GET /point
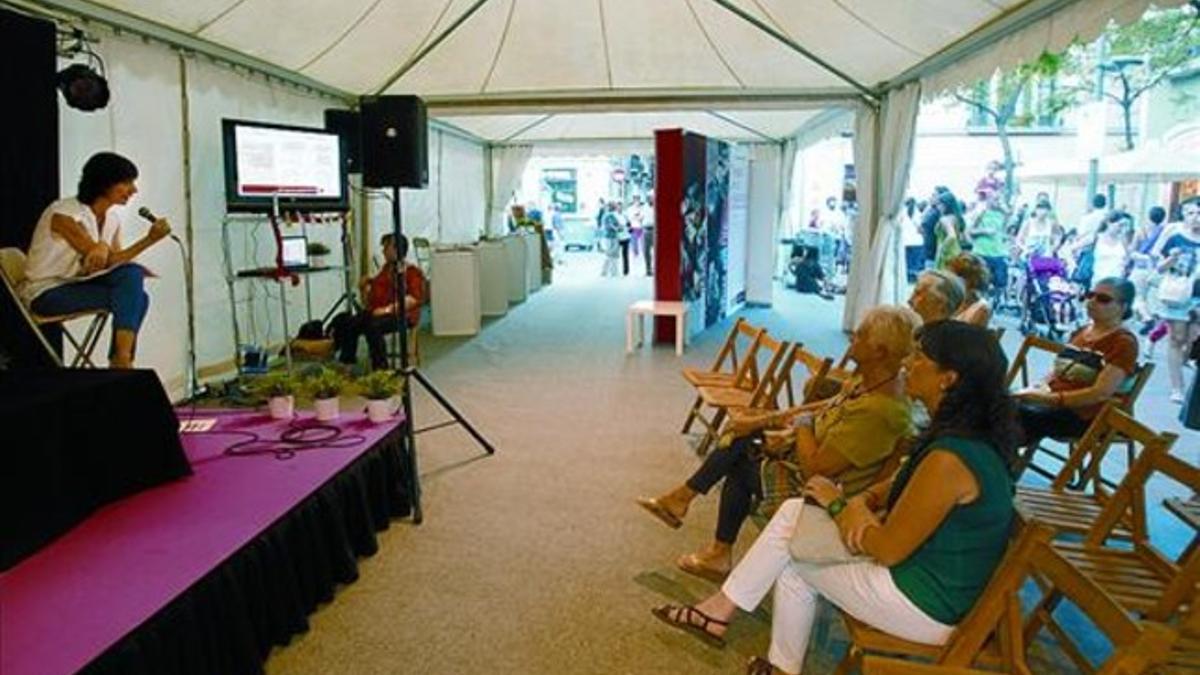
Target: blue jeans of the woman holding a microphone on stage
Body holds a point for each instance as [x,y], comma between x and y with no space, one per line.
[121,292]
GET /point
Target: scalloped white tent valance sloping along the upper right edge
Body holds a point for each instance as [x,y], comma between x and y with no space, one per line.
[1084,21]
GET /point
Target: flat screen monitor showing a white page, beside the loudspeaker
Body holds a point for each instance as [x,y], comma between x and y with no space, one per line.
[304,168]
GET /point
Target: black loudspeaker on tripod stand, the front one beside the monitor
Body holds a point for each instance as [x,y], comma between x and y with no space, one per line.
[395,142]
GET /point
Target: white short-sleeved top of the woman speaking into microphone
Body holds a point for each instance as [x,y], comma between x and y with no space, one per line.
[52,261]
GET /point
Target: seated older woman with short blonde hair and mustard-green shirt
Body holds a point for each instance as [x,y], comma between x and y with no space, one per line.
[847,439]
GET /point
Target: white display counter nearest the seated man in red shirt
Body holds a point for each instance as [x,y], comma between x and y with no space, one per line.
[455,302]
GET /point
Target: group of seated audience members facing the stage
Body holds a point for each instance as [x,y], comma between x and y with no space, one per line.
[905,546]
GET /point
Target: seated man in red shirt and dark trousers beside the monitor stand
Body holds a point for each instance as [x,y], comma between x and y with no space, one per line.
[380,297]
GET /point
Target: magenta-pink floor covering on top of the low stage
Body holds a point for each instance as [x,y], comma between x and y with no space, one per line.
[67,605]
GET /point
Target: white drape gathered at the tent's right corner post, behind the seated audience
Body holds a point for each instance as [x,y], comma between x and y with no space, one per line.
[884,144]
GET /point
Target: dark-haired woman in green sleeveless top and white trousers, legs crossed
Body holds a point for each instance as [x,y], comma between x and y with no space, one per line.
[926,542]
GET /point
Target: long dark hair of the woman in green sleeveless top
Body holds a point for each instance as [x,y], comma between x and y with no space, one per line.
[977,405]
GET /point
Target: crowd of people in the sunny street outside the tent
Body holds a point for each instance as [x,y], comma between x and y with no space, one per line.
[1039,267]
